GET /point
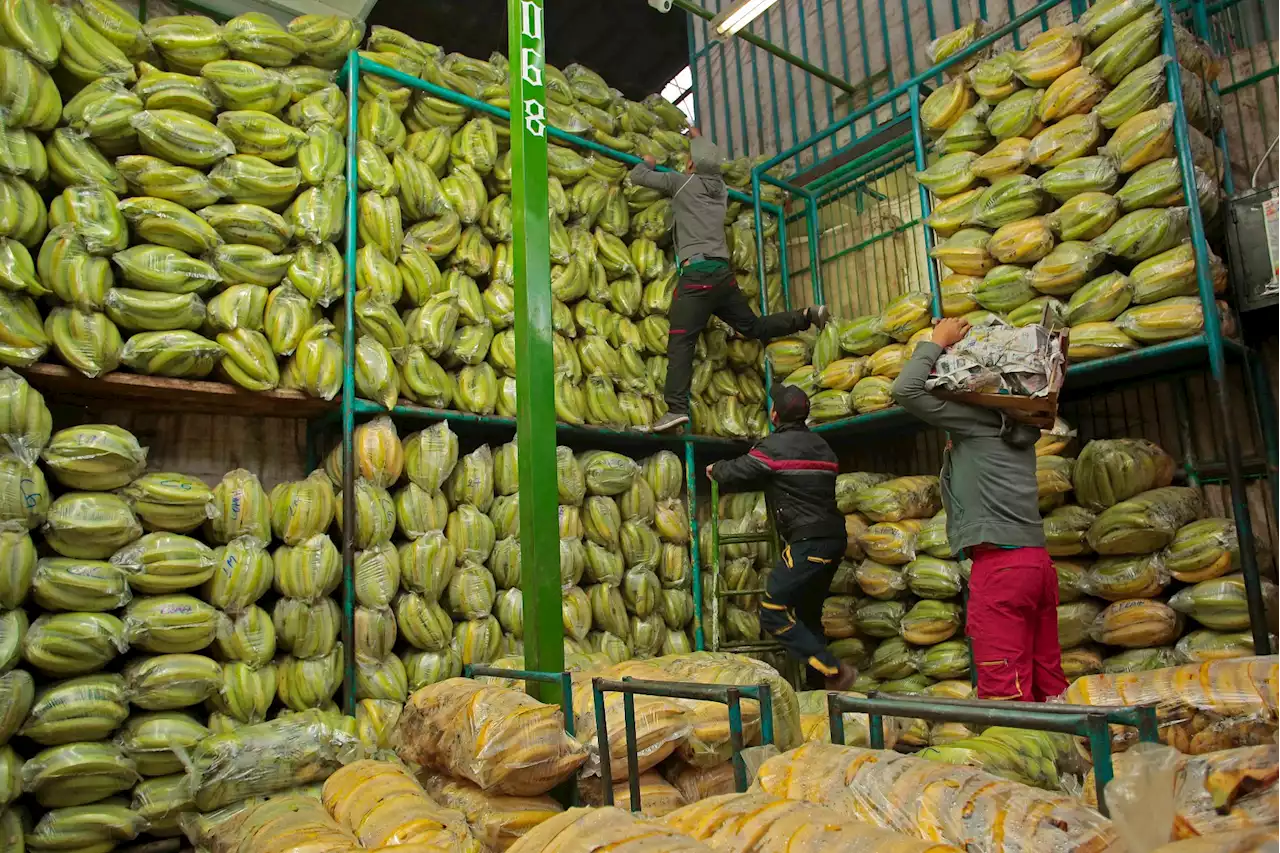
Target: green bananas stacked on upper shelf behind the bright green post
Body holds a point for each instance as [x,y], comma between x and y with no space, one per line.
[435,273]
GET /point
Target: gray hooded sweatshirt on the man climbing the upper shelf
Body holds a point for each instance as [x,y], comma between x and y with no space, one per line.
[700,202]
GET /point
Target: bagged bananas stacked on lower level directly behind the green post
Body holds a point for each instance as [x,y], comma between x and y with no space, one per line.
[447,591]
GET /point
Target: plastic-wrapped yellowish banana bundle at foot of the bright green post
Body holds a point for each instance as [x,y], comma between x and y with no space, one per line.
[497,738]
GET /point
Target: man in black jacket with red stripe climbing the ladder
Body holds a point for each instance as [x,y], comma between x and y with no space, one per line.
[798,472]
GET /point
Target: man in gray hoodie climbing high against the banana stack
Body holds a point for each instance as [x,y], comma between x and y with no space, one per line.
[707,285]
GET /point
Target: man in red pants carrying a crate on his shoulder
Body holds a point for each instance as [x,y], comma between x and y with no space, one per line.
[989,490]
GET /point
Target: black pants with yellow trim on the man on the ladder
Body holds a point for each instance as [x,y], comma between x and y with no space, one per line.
[792,610]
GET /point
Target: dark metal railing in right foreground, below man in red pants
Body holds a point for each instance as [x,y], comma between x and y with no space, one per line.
[1091,723]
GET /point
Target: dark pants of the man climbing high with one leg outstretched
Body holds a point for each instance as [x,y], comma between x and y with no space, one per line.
[698,297]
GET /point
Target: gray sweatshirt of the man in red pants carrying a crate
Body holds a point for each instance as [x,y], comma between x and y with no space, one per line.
[989,473]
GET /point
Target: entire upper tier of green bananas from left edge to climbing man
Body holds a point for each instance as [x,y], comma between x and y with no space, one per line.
[202,194]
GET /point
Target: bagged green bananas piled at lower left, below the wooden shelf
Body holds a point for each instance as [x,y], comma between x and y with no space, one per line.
[139,622]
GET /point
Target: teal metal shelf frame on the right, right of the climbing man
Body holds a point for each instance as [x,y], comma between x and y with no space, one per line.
[1210,352]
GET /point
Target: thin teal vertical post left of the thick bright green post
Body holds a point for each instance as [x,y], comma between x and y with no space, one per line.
[349,402]
